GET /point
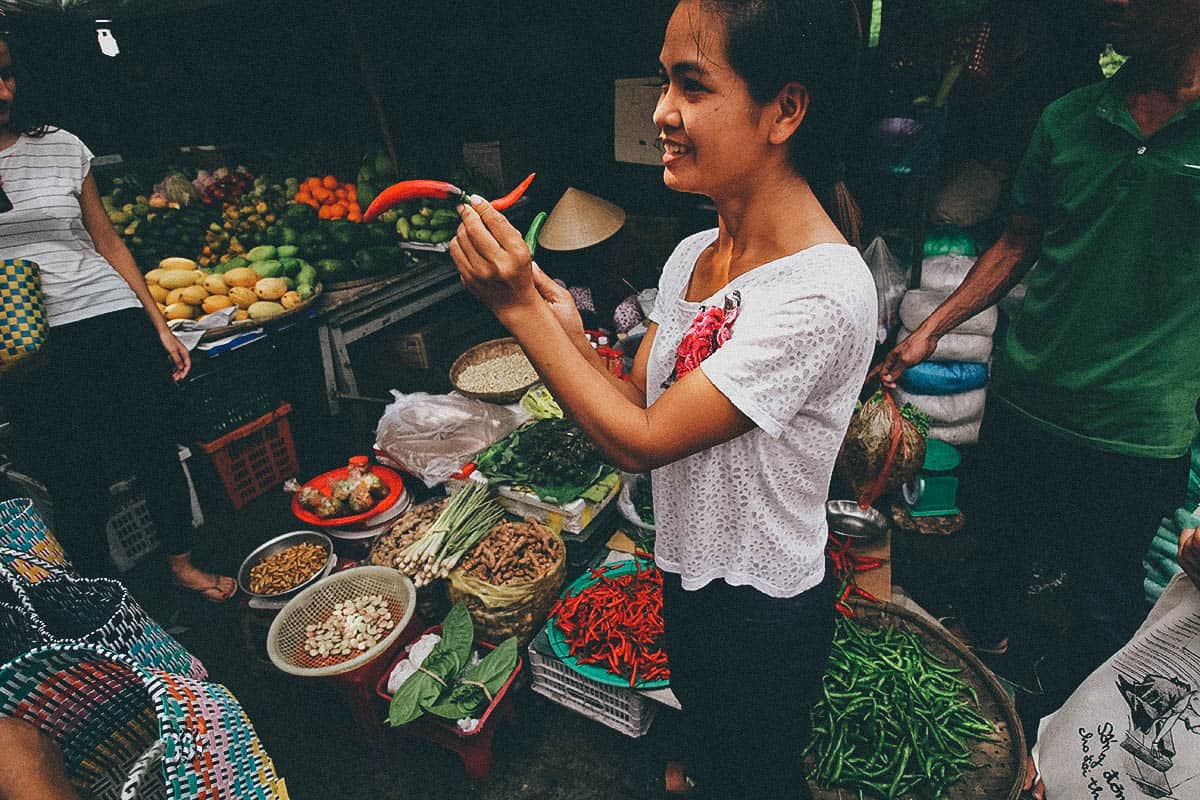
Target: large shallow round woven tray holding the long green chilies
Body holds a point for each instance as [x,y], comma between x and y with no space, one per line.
[1004,761]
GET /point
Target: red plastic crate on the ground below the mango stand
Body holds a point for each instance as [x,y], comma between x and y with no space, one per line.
[256,458]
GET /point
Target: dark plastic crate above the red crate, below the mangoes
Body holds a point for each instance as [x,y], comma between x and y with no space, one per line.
[224,400]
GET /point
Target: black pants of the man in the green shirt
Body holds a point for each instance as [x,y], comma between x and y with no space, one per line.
[1037,498]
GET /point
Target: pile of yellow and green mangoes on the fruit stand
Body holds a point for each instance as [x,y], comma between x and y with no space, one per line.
[262,286]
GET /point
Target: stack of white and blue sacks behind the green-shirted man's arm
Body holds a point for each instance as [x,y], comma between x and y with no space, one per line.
[951,388]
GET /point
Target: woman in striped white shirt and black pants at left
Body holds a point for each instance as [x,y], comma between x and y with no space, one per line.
[88,410]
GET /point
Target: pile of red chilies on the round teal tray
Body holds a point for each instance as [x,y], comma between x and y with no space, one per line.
[617,623]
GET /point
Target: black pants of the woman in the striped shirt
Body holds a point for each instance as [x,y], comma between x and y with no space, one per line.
[93,407]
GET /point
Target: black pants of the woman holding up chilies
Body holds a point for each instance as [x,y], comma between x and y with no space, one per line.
[747,670]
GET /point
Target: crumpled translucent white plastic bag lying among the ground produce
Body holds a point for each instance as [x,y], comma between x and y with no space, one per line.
[434,436]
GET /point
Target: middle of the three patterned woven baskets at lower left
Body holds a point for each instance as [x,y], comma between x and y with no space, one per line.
[68,610]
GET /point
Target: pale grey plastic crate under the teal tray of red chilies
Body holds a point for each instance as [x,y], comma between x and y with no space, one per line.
[621,709]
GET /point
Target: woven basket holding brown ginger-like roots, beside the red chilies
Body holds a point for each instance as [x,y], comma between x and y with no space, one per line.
[514,610]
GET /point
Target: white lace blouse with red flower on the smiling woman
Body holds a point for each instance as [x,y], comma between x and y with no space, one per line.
[752,510]
